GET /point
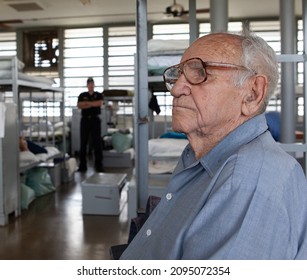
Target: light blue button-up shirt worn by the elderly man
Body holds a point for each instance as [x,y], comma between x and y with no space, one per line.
[245,199]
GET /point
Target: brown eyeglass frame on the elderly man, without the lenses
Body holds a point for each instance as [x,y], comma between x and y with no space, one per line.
[181,70]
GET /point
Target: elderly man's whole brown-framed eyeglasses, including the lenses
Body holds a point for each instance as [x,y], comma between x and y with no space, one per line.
[195,71]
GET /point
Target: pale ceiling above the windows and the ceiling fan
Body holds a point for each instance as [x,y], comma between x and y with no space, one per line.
[74,13]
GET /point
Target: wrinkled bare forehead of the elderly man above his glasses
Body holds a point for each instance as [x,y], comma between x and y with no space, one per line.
[217,47]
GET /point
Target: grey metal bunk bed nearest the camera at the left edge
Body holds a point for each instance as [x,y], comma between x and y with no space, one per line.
[14,84]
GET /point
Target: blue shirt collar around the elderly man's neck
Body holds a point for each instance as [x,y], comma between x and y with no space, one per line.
[242,135]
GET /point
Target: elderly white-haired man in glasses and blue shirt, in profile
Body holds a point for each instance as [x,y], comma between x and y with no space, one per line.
[235,194]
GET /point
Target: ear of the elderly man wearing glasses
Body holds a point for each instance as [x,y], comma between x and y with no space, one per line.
[254,98]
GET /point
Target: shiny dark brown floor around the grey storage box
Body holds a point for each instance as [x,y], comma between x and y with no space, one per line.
[54,228]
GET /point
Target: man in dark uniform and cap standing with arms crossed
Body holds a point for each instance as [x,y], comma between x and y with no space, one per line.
[90,102]
